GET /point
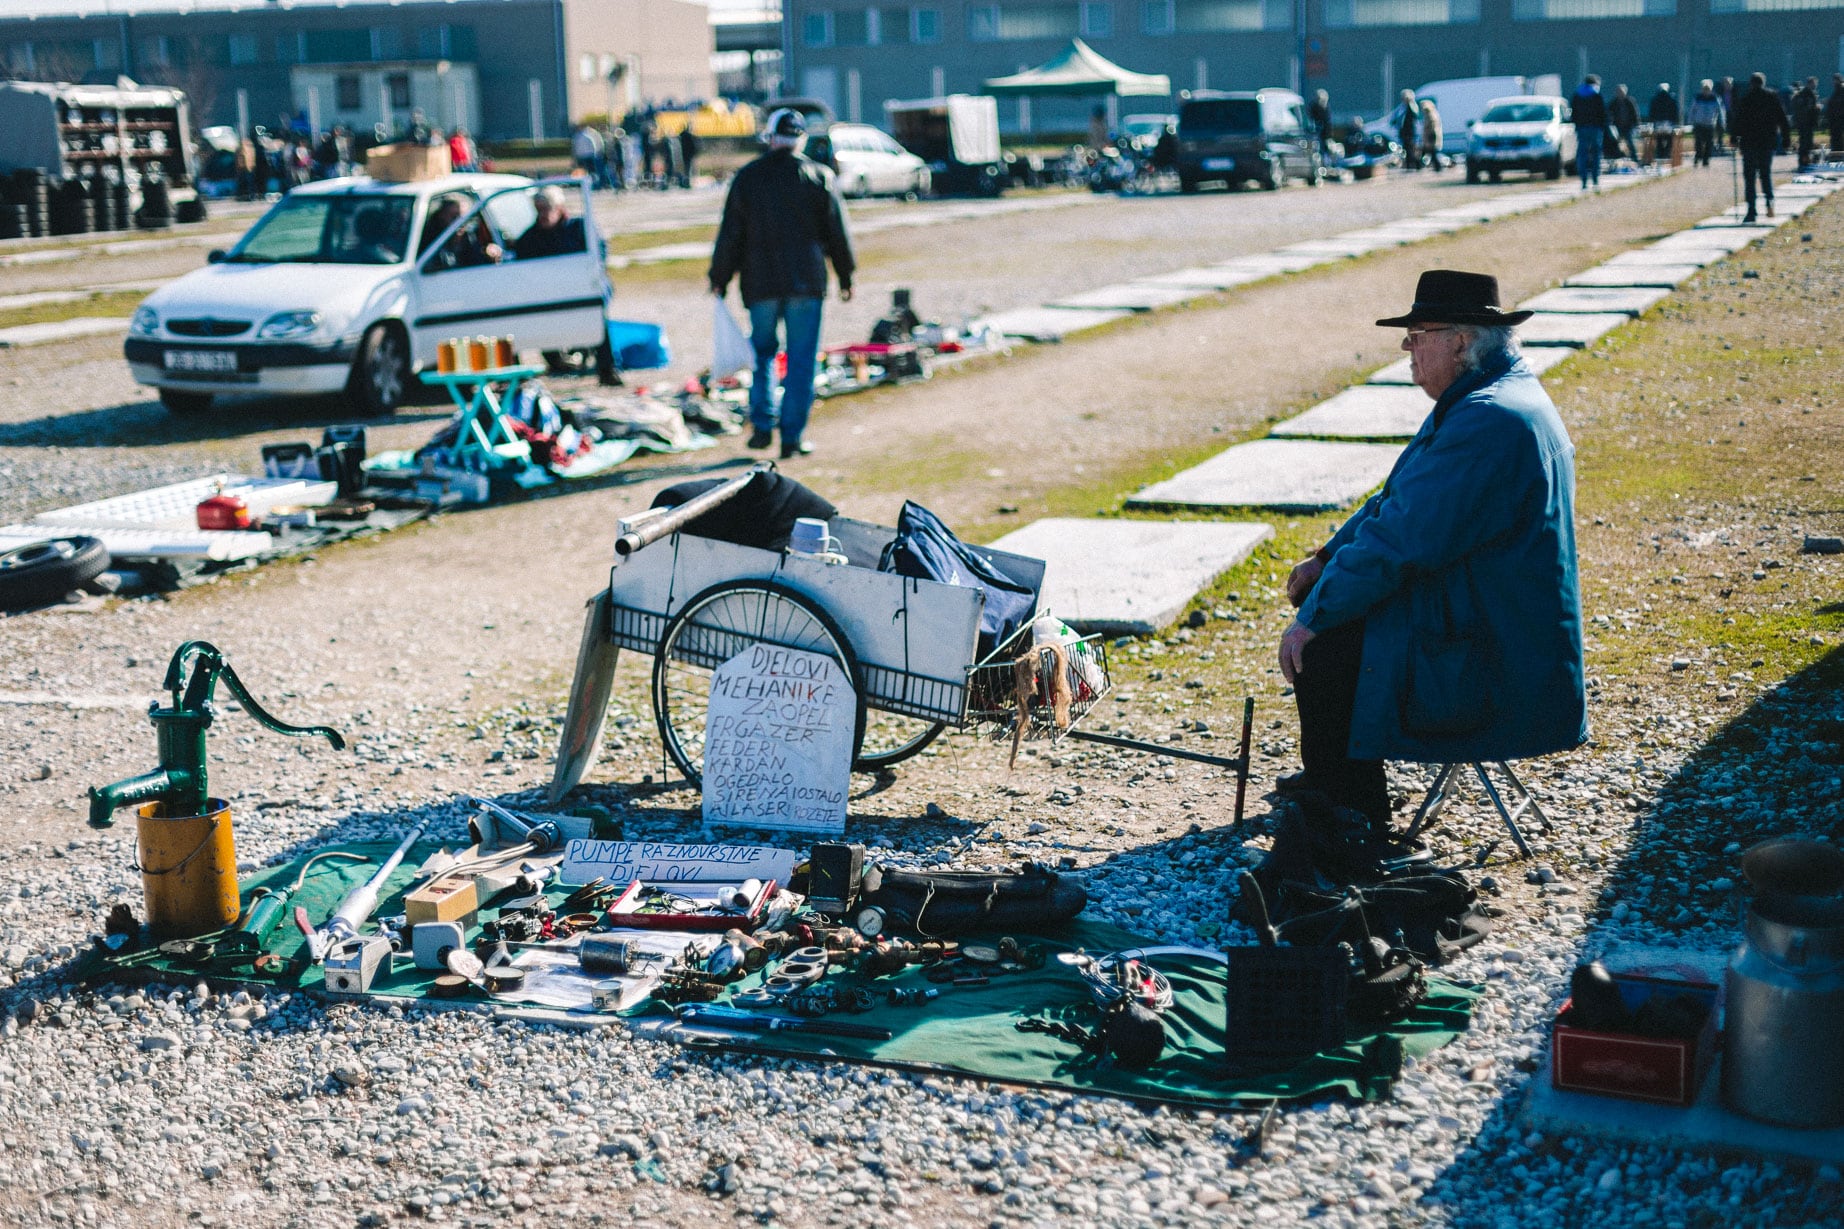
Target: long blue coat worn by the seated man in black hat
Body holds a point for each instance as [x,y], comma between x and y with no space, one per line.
[1463,571]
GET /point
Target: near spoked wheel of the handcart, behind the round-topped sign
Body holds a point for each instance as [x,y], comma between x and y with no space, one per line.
[716,626]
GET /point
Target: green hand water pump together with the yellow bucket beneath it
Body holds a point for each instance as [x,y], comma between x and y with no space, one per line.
[185,846]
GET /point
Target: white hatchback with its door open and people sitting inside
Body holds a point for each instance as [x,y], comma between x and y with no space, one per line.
[351,285]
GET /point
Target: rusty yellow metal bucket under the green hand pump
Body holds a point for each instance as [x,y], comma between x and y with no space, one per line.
[187,870]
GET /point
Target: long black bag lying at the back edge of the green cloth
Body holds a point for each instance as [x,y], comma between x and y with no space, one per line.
[945,903]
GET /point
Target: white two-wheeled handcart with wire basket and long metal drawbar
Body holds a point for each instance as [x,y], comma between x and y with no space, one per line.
[910,645]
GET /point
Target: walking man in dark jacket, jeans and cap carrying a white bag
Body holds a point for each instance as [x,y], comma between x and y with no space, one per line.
[781,224]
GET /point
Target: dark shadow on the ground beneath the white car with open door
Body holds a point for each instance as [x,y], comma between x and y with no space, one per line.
[148,424]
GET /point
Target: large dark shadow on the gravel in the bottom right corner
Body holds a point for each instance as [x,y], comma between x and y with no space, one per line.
[1777,770]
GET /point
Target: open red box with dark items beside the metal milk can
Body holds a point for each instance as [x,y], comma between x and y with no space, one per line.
[1666,1071]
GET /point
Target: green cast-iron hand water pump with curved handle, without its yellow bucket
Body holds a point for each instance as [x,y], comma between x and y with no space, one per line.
[180,780]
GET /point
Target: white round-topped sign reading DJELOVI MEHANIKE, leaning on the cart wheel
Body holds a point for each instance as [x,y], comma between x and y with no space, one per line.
[779,741]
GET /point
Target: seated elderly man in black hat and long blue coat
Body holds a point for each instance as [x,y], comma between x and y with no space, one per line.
[1443,623]
